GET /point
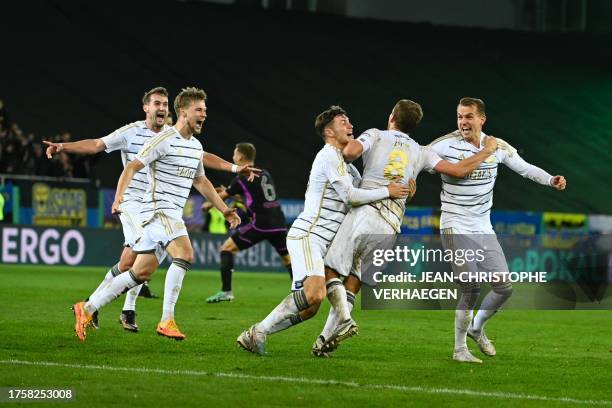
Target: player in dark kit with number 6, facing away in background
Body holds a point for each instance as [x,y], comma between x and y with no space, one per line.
[267,220]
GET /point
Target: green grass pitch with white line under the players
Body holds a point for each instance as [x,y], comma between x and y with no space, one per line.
[545,358]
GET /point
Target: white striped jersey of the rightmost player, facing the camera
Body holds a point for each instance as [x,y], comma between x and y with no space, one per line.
[466,203]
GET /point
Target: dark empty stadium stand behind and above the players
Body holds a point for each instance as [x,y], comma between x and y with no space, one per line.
[84,66]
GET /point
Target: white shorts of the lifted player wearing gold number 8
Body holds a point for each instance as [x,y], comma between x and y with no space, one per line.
[362,231]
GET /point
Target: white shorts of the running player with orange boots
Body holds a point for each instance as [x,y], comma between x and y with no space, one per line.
[157,233]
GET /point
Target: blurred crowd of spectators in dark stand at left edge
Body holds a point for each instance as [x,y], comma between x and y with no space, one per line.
[22,153]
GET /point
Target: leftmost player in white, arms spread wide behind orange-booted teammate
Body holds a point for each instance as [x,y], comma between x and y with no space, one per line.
[129,140]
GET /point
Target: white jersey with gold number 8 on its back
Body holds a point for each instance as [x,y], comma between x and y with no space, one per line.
[390,155]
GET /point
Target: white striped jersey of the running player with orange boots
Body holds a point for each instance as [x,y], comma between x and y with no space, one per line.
[173,164]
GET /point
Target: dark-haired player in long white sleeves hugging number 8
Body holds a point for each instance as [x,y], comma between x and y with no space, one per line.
[329,193]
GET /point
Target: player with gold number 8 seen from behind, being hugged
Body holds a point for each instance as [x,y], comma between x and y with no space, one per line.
[387,155]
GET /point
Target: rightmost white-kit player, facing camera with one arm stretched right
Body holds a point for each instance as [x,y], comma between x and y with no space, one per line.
[465,221]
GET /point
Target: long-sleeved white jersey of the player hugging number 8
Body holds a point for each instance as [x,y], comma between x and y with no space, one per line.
[329,193]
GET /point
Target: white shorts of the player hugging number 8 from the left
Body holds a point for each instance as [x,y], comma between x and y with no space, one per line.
[306,255]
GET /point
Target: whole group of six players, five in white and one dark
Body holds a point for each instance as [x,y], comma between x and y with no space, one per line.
[345,213]
